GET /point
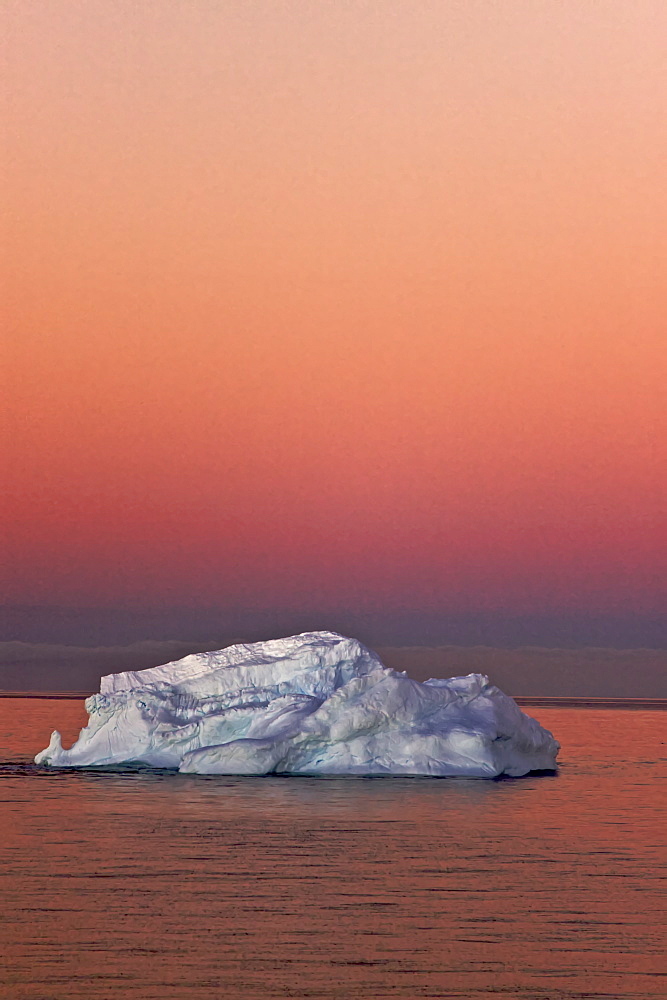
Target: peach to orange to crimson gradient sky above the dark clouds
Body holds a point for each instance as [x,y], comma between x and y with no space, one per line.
[336,304]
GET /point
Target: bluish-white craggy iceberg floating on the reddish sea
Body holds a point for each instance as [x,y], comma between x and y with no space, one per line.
[315,703]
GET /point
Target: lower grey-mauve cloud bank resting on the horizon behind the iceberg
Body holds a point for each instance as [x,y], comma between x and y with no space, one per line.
[531,671]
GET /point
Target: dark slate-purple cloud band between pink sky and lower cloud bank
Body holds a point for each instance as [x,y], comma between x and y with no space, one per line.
[90,626]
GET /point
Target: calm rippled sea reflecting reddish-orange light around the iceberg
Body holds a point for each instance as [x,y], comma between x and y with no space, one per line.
[156,886]
